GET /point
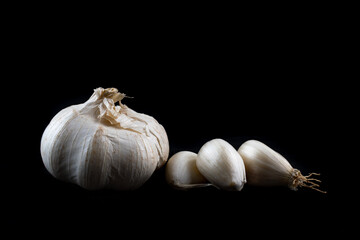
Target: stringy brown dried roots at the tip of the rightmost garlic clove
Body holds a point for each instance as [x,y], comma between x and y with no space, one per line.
[298,180]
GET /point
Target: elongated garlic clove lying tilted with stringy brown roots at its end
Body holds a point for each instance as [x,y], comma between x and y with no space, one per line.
[265,167]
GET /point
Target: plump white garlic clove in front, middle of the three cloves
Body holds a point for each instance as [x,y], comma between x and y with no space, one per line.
[222,165]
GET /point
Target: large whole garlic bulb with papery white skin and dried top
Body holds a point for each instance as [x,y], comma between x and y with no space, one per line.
[100,145]
